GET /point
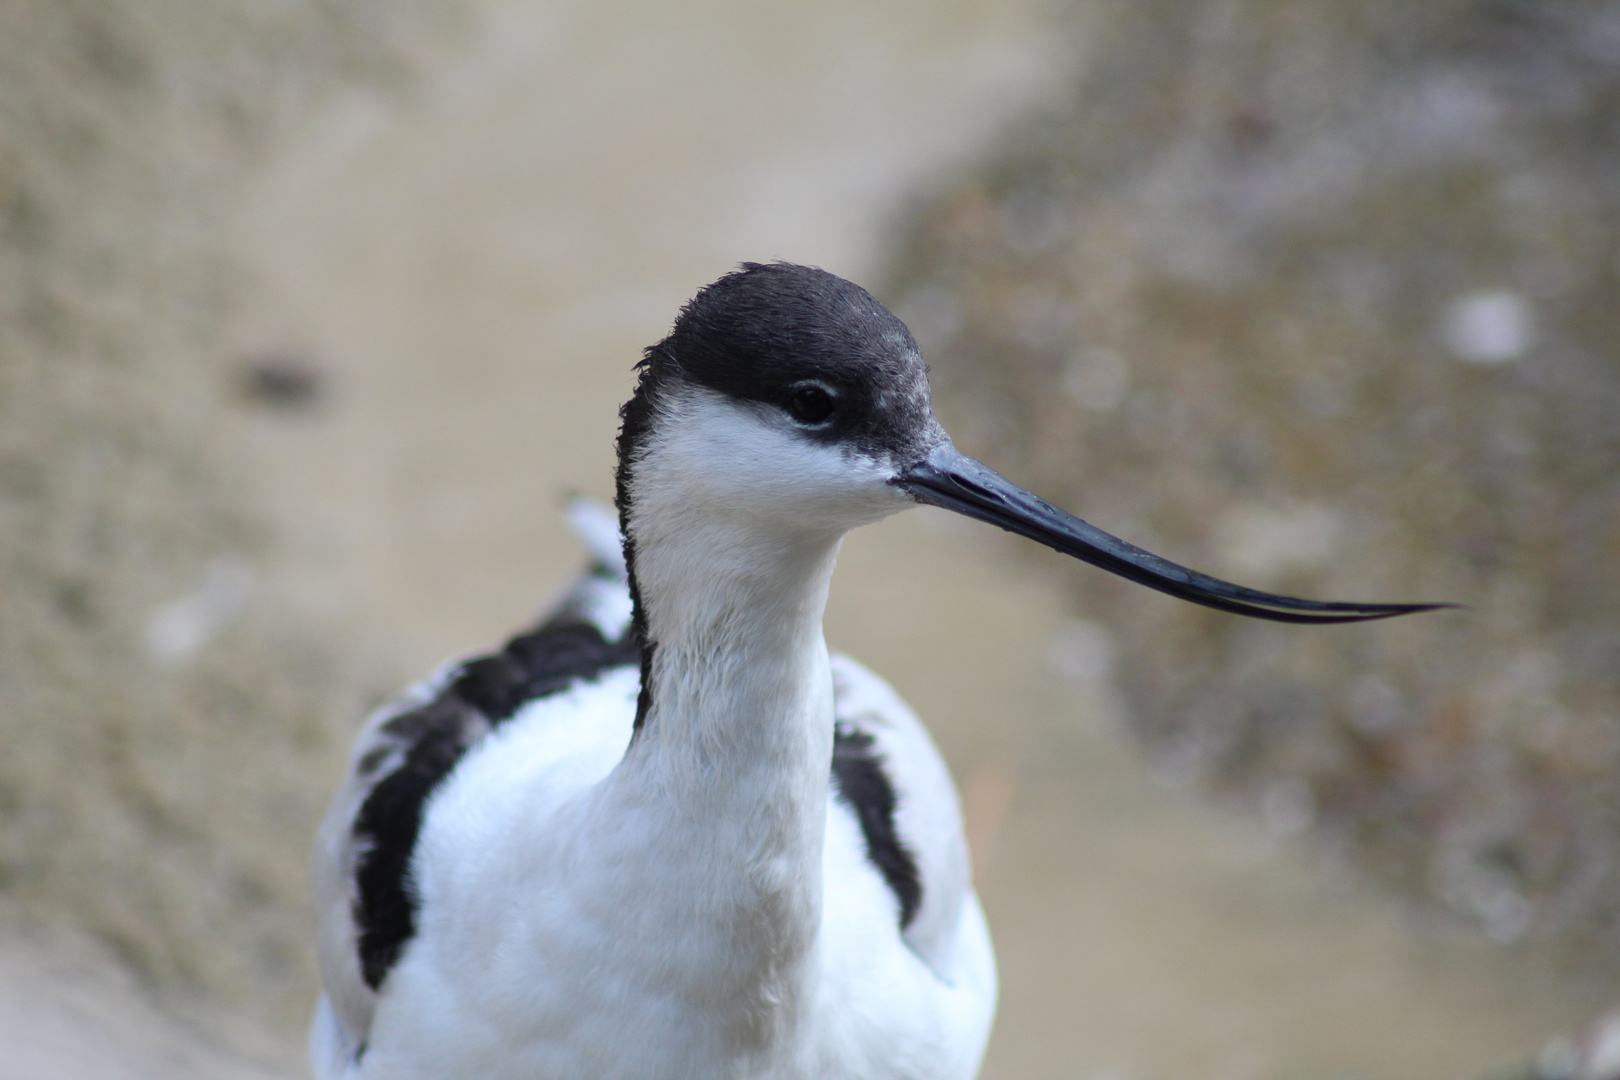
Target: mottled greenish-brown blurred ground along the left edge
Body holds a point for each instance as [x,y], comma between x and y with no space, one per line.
[151,791]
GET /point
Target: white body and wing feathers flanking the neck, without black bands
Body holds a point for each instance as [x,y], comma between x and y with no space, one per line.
[509,955]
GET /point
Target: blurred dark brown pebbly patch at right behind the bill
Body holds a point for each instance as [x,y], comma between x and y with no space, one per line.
[1326,299]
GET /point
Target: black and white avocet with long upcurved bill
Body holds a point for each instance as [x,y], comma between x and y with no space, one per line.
[665,833]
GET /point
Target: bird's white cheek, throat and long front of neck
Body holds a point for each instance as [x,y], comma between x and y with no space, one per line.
[736,527]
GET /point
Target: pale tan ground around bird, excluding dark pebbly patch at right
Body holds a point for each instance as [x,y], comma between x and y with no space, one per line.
[441,253]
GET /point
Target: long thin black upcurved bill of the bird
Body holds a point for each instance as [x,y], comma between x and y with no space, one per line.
[952,480]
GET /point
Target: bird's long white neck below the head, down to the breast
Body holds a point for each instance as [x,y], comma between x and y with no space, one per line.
[727,781]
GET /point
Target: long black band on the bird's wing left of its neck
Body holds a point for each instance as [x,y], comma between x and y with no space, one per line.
[484,694]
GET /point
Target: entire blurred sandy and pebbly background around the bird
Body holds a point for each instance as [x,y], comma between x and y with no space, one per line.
[313,310]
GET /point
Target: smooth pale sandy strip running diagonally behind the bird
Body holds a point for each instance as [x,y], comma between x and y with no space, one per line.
[475,268]
